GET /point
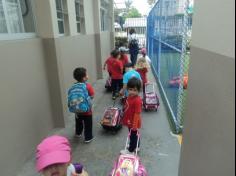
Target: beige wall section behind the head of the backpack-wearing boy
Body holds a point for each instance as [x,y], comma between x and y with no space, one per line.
[77,51]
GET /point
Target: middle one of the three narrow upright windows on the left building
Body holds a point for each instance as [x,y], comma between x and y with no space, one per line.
[79,10]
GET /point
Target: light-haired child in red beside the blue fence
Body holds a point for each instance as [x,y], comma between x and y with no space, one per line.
[142,68]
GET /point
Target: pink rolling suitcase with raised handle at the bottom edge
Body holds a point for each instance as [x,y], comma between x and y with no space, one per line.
[129,164]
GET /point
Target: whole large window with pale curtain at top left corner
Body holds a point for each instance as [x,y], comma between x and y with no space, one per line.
[16,17]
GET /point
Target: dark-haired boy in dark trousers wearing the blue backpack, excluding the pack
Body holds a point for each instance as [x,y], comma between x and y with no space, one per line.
[83,120]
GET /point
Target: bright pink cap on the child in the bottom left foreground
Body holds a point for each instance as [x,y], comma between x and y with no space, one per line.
[52,150]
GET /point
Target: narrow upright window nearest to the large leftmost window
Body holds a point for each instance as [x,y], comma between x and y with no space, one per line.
[62,15]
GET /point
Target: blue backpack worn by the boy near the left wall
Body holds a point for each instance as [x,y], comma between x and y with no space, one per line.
[79,100]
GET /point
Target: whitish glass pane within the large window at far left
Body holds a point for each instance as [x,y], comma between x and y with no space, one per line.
[14,16]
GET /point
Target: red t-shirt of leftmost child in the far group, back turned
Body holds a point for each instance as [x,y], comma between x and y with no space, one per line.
[116,69]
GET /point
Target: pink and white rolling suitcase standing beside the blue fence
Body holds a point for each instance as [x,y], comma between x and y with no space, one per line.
[150,98]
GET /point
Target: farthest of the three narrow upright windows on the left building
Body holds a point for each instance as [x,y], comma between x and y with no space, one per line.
[104,15]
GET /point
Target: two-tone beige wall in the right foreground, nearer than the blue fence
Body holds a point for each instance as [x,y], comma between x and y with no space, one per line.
[209,125]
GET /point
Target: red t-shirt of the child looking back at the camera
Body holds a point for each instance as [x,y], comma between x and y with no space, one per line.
[133,105]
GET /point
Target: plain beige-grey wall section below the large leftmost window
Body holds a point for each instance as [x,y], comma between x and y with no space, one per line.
[25,107]
